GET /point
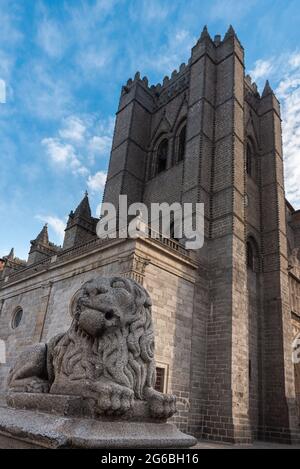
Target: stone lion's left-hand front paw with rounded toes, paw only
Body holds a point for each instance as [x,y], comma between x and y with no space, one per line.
[115,400]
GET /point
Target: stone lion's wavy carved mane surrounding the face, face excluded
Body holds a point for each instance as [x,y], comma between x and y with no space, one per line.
[124,355]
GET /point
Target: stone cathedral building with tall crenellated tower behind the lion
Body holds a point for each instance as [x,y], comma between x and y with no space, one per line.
[225,315]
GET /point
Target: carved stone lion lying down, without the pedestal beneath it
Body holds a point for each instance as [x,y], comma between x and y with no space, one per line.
[107,354]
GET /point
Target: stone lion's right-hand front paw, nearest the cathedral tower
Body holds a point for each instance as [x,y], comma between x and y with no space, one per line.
[162,406]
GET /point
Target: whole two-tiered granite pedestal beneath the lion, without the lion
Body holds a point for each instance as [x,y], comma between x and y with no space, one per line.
[50,421]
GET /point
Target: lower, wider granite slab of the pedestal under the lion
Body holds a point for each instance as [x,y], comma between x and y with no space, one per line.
[34,429]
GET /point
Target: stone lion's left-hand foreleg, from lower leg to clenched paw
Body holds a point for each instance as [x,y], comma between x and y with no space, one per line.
[111,398]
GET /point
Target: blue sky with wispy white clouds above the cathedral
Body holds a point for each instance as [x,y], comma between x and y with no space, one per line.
[63,64]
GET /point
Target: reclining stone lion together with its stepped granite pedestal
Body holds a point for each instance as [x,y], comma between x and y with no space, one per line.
[101,371]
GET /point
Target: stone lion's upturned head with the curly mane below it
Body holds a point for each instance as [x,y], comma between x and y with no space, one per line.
[116,312]
